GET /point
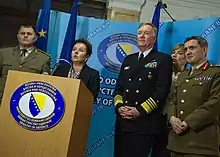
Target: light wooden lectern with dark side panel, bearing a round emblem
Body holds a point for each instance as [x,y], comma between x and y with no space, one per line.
[66,139]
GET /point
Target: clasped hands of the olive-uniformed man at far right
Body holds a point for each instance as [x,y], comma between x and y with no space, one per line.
[178,126]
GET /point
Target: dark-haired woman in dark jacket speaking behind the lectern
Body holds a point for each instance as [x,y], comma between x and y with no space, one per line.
[78,69]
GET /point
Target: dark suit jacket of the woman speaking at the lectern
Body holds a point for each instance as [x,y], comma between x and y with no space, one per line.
[89,76]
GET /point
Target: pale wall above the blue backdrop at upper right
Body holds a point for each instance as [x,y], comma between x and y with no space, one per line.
[182,9]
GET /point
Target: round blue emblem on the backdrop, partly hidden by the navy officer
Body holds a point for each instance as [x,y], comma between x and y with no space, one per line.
[113,50]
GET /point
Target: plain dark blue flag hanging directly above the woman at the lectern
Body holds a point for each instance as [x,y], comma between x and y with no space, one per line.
[70,34]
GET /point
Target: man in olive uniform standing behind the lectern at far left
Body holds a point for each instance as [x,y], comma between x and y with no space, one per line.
[24,57]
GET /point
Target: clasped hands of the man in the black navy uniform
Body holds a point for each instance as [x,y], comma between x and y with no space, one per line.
[128,112]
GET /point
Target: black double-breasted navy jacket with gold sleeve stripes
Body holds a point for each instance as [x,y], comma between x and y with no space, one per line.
[145,85]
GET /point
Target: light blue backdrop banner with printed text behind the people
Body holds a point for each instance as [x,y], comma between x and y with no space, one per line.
[112,41]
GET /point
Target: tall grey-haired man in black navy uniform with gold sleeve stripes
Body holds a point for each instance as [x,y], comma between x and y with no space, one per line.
[139,98]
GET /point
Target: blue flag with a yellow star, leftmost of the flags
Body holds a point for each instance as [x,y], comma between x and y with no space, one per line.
[42,27]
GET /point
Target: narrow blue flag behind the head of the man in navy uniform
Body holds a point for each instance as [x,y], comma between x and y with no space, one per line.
[156,20]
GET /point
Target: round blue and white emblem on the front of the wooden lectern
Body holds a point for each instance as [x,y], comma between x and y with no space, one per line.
[37,106]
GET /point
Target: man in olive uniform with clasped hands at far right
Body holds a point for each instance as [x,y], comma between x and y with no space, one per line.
[194,109]
